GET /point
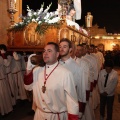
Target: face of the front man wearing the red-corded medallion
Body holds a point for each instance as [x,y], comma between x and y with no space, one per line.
[50,55]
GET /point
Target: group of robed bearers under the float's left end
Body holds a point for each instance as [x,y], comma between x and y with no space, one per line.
[12,69]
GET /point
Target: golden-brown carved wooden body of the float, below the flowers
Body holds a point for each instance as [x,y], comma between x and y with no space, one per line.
[30,40]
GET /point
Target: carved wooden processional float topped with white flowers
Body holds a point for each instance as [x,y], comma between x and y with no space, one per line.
[33,36]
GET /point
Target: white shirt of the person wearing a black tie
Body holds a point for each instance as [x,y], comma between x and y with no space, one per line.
[111,83]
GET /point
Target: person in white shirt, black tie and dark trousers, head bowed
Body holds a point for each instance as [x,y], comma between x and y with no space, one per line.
[107,82]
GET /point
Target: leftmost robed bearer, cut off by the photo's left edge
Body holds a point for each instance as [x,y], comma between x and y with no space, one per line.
[5,93]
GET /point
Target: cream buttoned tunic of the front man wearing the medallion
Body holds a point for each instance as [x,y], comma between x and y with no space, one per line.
[60,95]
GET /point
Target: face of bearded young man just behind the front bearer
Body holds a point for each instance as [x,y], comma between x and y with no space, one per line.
[64,49]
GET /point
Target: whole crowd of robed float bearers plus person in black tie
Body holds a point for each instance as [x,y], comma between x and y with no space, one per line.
[68,81]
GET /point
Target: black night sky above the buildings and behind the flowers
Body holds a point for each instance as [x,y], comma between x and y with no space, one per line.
[106,13]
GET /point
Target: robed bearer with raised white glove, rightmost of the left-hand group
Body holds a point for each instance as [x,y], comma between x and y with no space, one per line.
[16,69]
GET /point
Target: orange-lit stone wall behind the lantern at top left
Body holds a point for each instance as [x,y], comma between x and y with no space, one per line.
[5,18]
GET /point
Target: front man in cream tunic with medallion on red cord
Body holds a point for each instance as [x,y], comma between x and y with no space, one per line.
[54,93]
